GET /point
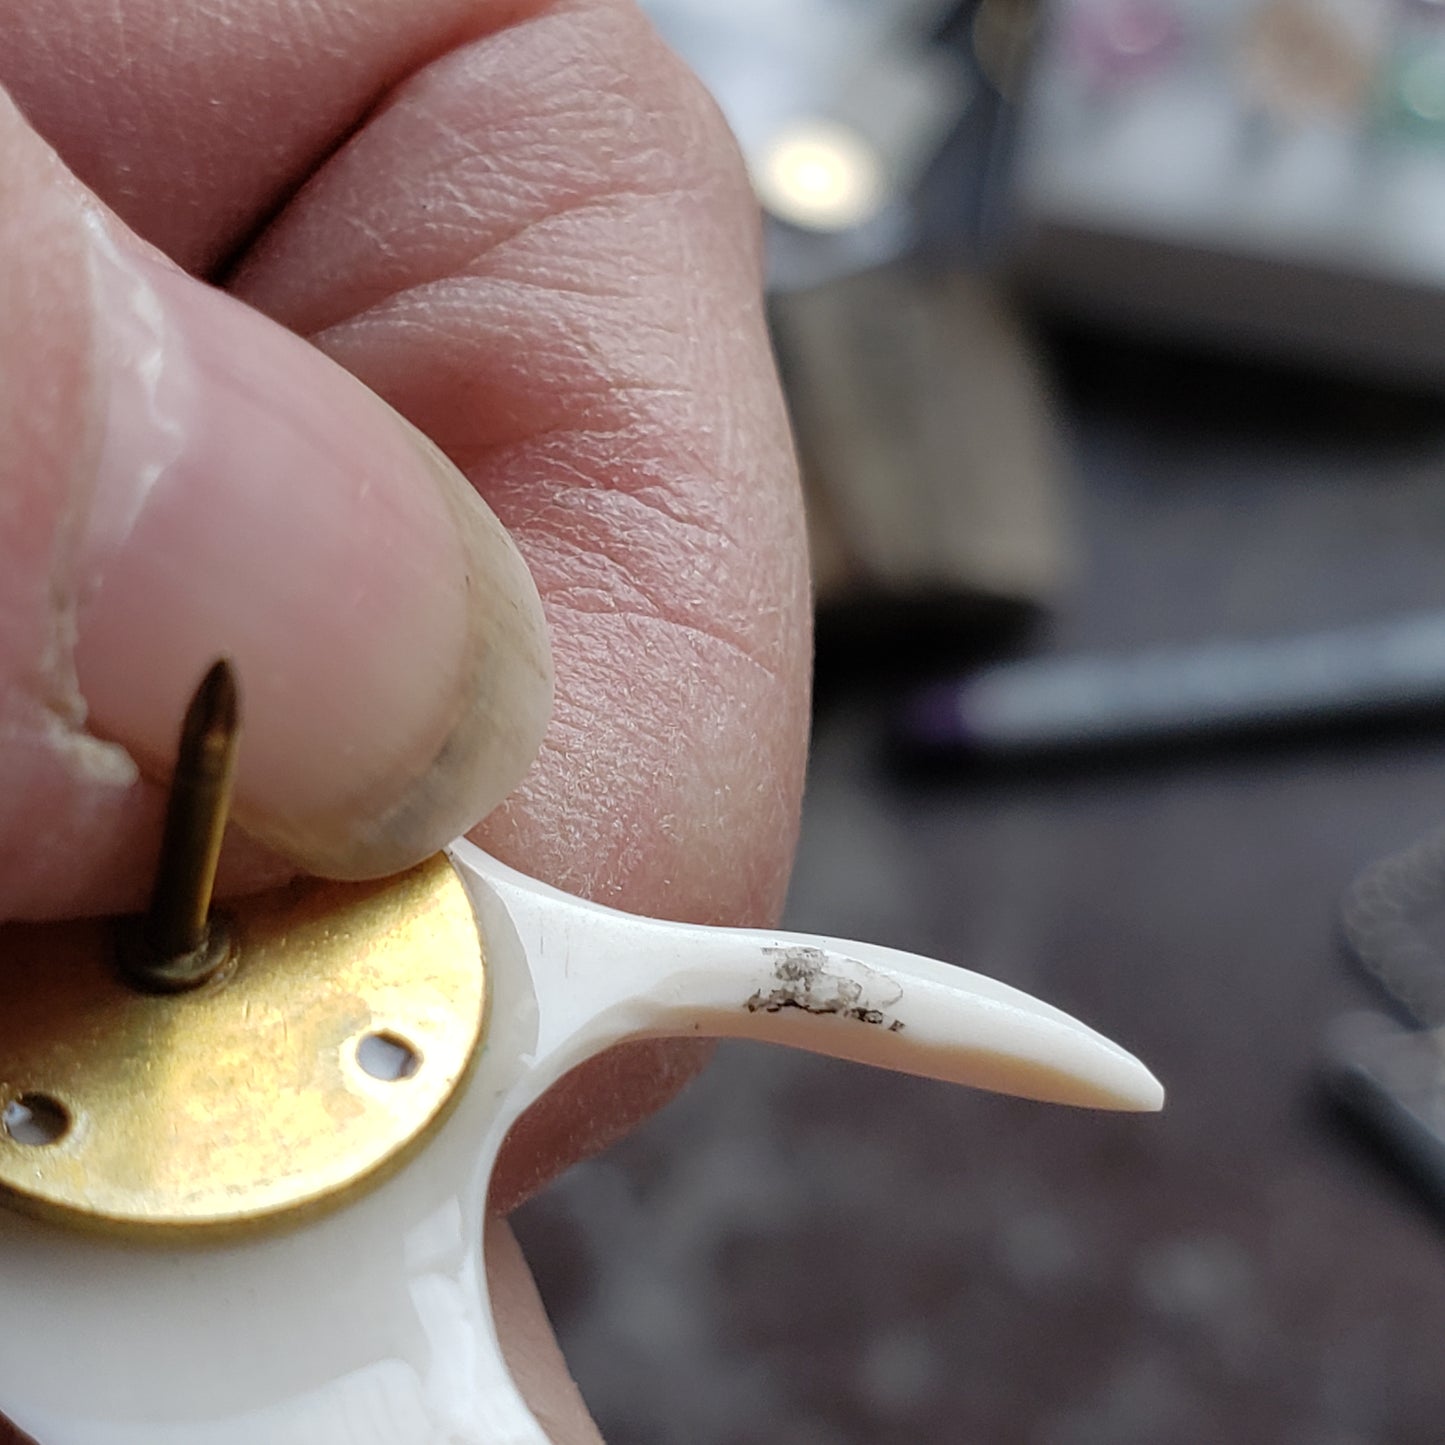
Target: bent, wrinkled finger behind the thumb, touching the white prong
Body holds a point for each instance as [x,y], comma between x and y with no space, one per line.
[567,297]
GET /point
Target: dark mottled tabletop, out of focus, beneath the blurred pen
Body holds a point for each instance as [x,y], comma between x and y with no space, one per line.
[804,1252]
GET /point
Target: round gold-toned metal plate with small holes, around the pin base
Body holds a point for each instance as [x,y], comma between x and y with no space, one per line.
[332,1045]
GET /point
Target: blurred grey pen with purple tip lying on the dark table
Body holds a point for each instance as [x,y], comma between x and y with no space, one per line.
[1064,704]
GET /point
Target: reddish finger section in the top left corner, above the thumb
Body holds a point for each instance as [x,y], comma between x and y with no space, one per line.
[196,124]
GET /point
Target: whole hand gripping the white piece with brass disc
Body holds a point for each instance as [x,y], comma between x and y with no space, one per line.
[525,229]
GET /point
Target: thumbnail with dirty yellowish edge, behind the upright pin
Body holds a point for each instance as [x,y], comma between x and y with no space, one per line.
[255,501]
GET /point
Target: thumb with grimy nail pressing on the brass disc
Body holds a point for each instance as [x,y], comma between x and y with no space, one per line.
[183,479]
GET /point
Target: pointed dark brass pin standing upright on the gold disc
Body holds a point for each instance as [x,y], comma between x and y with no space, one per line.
[178,946]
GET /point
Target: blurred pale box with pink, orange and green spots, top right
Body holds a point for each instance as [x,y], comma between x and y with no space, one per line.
[1264,174]
